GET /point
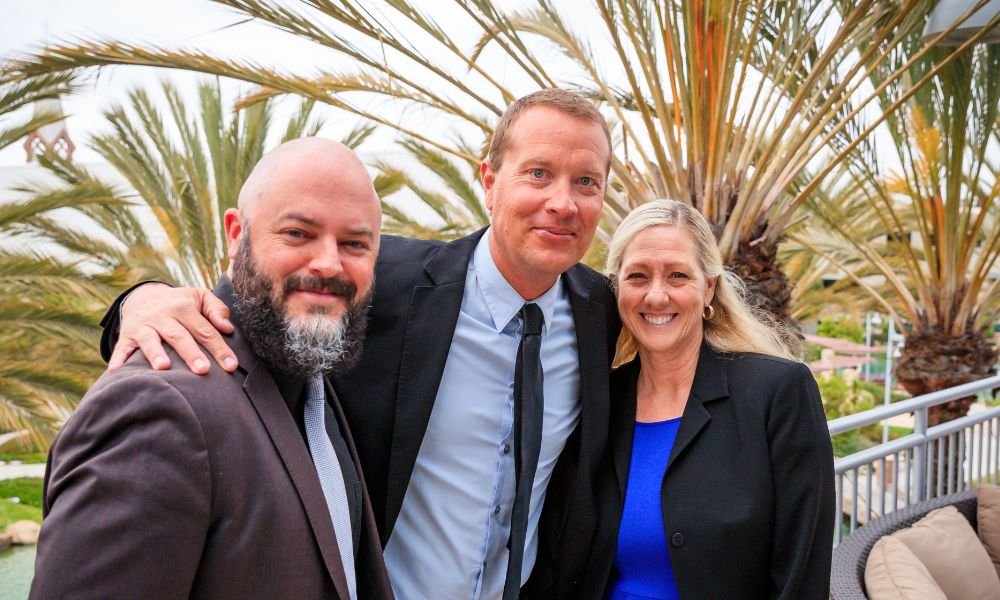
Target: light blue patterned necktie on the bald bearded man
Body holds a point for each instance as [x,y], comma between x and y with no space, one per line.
[331,478]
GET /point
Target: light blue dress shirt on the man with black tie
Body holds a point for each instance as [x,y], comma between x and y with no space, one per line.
[450,538]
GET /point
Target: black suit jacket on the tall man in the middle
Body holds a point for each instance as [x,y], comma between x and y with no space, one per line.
[388,397]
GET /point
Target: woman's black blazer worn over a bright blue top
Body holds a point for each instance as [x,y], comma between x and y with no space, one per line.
[748,496]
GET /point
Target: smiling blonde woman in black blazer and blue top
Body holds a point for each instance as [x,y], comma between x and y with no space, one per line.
[718,482]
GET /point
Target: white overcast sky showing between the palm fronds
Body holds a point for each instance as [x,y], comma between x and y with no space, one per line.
[199,24]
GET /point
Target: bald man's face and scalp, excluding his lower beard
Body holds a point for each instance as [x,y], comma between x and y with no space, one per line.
[314,219]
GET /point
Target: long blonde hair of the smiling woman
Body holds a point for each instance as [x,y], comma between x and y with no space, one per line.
[736,326]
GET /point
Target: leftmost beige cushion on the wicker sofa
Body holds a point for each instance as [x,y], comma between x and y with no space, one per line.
[893,572]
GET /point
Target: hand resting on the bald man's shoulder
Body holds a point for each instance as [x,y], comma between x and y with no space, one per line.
[184,318]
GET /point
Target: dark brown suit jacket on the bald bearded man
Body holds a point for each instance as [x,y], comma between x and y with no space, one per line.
[165,484]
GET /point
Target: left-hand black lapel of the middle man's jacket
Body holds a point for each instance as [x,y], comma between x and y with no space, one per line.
[430,326]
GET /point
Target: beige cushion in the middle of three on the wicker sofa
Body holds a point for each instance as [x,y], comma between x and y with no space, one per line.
[950,549]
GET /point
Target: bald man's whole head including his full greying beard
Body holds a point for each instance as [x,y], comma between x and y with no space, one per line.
[302,249]
